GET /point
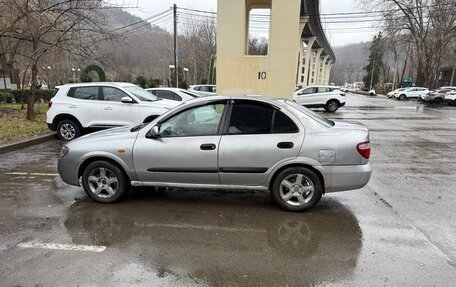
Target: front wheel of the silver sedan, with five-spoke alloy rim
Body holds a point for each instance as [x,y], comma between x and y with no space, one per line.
[104,182]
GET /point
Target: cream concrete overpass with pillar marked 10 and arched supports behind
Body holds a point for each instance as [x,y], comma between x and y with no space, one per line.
[297,52]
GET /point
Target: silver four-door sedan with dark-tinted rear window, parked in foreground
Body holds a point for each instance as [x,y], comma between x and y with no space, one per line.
[246,143]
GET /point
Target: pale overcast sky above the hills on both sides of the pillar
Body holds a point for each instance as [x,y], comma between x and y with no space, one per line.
[337,33]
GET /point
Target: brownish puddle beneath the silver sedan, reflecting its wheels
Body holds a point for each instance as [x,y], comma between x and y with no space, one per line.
[241,238]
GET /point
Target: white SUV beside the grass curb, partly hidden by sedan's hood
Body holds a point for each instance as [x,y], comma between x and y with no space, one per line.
[80,107]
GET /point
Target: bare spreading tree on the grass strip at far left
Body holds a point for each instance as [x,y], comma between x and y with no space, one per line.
[45,26]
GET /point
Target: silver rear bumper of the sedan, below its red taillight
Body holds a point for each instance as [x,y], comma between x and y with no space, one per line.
[347,177]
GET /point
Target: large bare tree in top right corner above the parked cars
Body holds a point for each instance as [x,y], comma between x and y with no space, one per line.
[428,25]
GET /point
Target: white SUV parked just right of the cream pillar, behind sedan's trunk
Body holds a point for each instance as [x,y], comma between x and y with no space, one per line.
[328,97]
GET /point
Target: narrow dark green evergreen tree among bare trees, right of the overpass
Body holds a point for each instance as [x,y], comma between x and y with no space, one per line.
[375,65]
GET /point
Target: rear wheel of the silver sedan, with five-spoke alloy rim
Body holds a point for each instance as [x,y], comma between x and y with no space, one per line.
[297,189]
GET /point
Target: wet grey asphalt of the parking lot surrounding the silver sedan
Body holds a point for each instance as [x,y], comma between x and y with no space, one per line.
[399,230]
